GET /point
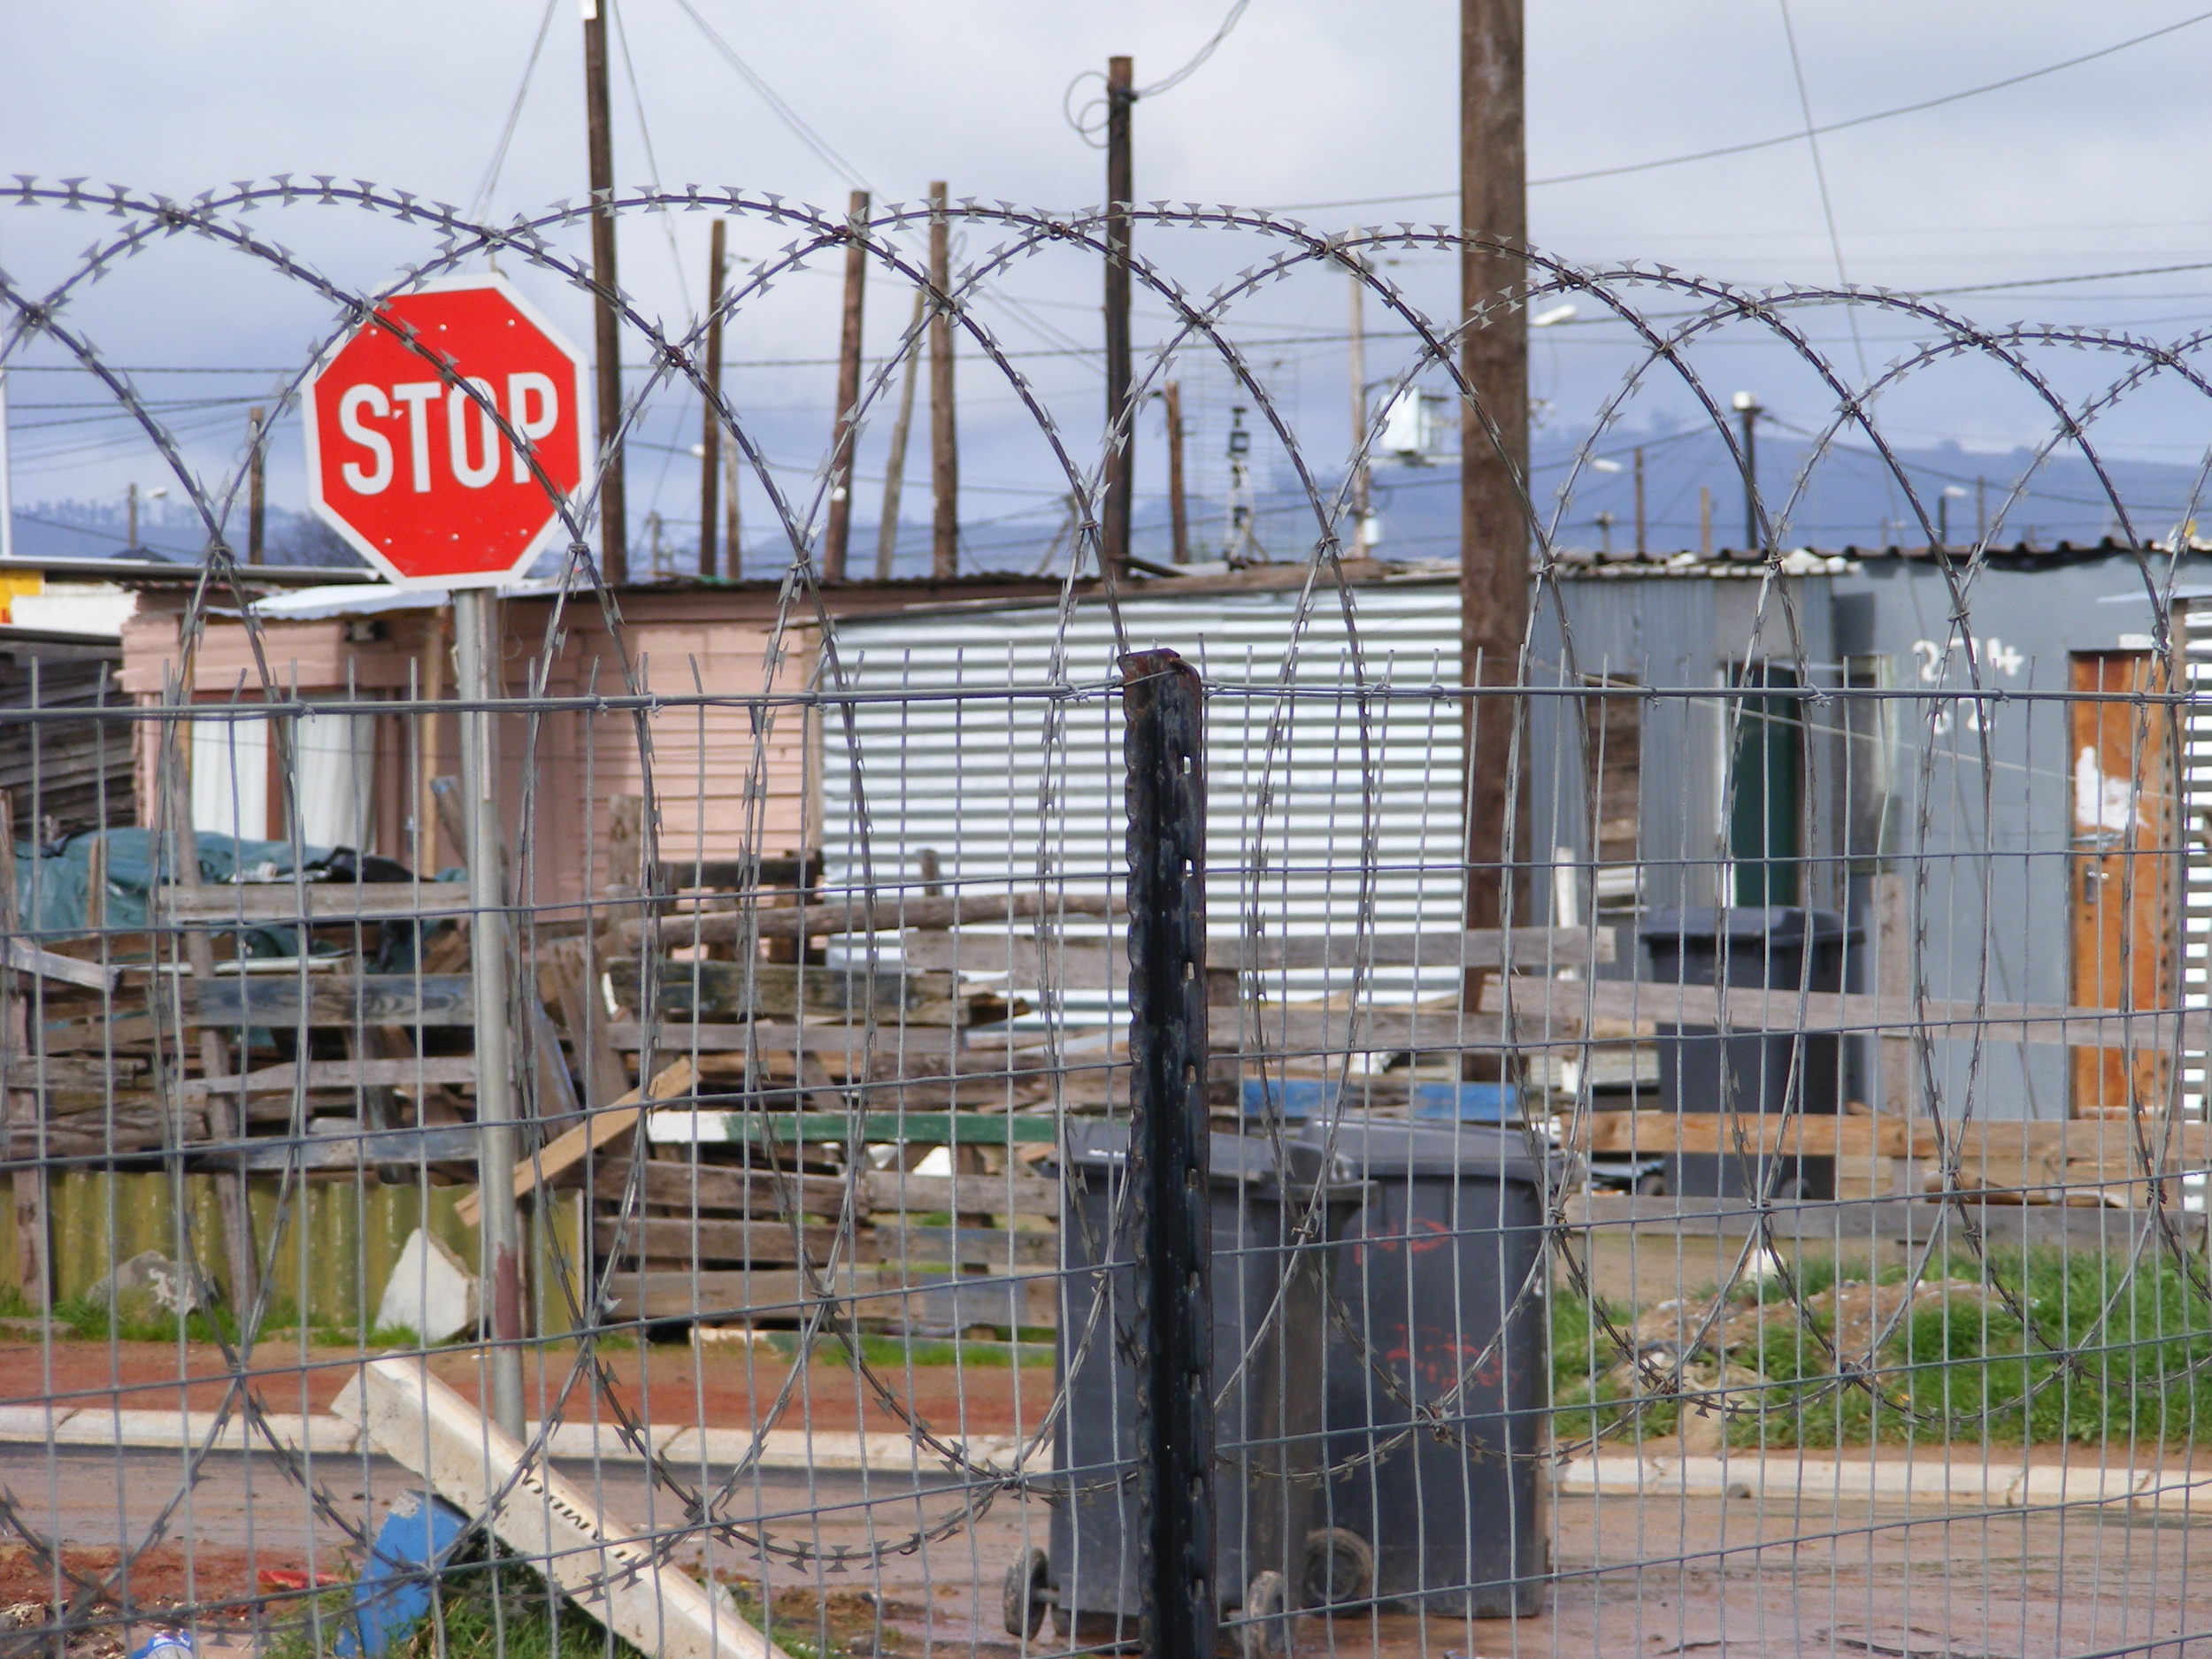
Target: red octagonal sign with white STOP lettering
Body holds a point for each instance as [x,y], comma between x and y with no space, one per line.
[413,470]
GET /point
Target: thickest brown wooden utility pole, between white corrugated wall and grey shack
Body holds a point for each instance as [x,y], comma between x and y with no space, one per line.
[1494,432]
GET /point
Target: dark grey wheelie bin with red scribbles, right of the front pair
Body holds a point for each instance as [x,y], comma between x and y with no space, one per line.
[1441,1308]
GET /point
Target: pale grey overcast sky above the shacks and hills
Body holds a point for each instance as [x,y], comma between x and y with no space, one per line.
[1308,101]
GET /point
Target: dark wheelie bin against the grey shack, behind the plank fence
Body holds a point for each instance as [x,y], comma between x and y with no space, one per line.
[1762,1072]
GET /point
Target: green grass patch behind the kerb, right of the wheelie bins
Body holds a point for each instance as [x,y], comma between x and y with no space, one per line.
[2133,1373]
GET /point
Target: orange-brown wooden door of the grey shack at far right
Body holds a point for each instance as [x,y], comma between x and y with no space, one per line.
[2125,870]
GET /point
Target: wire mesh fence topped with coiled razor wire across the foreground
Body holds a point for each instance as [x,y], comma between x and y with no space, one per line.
[1780,1227]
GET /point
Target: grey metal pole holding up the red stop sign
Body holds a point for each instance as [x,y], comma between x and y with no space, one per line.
[477,654]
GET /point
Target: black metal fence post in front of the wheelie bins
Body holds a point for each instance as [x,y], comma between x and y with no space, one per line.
[1165,722]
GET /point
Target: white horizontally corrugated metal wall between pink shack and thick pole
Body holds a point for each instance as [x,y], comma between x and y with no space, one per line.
[1005,800]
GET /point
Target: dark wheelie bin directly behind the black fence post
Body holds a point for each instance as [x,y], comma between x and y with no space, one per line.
[1269,1317]
